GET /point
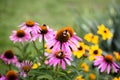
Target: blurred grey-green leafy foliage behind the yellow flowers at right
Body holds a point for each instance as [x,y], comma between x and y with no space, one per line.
[111,19]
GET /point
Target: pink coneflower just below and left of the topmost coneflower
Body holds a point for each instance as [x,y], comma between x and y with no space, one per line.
[20,36]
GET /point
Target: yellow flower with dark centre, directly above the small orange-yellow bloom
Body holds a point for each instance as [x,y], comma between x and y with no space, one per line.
[95,51]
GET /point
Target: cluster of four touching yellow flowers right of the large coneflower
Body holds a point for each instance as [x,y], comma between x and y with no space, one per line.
[93,50]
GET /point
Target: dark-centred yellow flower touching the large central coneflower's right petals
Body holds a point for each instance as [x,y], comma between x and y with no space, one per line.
[81,50]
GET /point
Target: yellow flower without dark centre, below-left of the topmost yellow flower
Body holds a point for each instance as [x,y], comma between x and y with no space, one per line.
[91,38]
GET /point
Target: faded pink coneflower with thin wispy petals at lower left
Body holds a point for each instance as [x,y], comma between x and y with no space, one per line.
[25,67]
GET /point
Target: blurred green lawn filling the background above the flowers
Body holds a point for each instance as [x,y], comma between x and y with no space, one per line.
[55,13]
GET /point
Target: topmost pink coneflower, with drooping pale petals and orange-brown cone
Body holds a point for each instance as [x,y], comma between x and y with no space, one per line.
[30,26]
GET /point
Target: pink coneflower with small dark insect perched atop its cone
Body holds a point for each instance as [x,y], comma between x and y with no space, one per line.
[44,31]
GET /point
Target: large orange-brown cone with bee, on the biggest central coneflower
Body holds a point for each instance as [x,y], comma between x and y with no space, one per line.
[62,35]
